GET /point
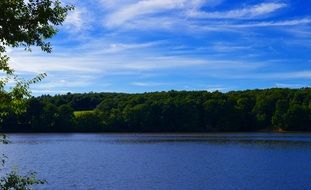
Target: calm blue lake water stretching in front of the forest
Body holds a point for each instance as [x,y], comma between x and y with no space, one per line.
[164,162]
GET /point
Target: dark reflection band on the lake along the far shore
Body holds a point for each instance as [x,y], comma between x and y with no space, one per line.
[251,139]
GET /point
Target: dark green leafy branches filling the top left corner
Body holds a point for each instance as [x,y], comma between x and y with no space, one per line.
[28,24]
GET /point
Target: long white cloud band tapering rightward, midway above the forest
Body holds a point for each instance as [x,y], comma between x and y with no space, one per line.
[118,58]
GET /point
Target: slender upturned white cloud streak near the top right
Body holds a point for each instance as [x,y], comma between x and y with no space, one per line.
[256,11]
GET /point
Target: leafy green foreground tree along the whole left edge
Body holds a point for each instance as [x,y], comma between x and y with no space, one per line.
[26,24]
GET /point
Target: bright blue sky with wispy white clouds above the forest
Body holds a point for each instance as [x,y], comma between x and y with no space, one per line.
[158,45]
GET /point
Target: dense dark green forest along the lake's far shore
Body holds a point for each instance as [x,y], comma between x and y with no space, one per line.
[173,111]
